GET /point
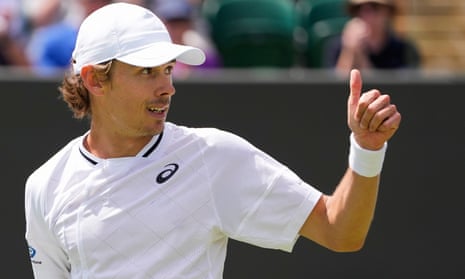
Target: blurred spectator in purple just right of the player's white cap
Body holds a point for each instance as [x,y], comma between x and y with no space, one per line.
[180,18]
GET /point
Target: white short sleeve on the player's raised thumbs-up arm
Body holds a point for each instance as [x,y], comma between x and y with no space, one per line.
[258,200]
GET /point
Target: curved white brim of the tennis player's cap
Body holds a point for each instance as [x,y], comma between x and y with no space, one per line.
[163,52]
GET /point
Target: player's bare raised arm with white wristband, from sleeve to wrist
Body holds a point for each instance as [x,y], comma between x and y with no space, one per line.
[344,217]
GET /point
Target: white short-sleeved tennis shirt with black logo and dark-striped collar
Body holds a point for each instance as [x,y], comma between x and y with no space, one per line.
[165,213]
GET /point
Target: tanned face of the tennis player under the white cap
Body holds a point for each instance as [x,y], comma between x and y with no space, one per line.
[135,100]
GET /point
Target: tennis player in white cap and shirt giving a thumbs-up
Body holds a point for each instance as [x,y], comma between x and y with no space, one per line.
[139,197]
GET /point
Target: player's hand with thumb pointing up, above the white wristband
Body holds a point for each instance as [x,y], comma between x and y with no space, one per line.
[371,116]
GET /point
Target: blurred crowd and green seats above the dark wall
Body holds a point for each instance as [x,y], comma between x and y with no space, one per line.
[39,35]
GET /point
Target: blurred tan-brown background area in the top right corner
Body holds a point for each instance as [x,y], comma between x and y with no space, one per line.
[438,28]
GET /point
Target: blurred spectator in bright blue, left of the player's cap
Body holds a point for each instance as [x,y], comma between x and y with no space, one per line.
[51,46]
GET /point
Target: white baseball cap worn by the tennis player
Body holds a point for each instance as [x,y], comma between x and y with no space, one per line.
[131,34]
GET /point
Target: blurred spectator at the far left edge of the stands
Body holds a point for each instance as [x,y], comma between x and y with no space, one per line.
[11,37]
